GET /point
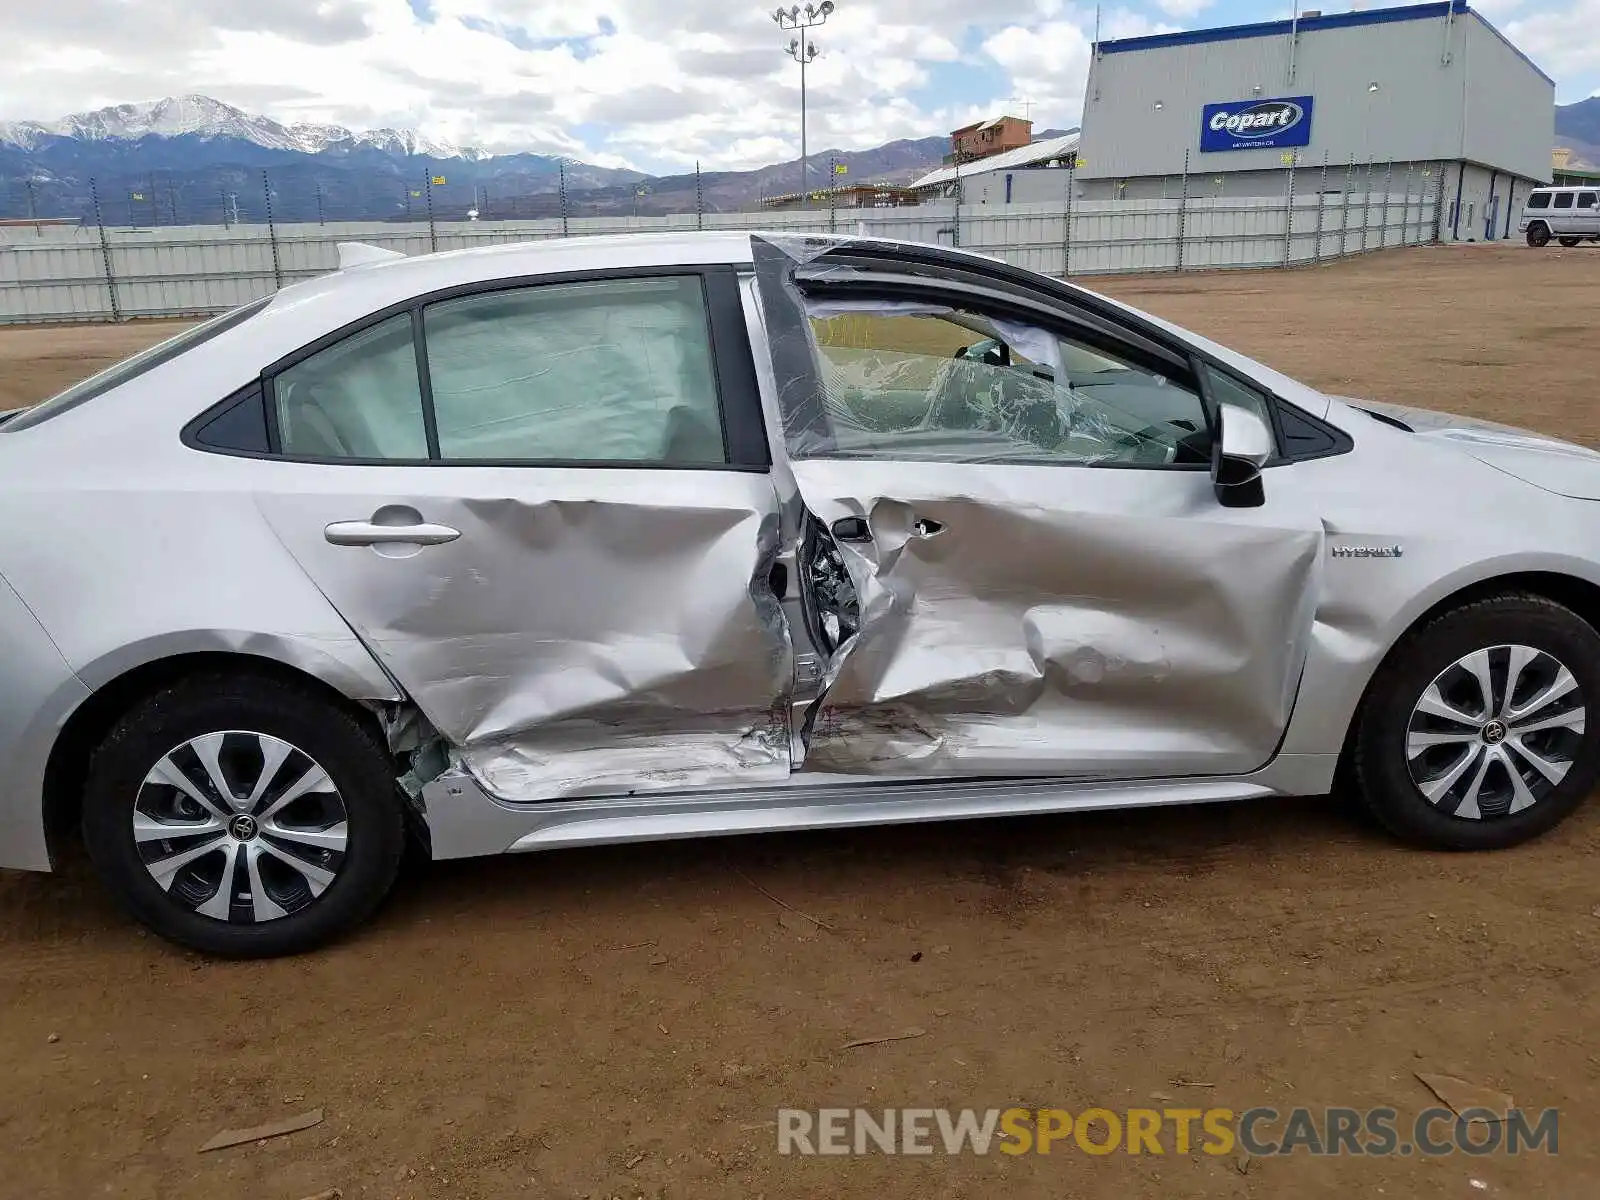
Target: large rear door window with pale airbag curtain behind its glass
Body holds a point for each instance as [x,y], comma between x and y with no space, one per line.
[604,372]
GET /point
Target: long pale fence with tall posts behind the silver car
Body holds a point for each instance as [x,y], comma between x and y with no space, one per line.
[175,254]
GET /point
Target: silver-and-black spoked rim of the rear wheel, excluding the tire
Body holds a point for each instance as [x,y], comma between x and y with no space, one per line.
[241,826]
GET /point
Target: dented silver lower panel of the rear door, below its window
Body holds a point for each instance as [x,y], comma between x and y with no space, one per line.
[602,633]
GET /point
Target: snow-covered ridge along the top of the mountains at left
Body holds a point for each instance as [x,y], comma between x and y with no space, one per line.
[204,118]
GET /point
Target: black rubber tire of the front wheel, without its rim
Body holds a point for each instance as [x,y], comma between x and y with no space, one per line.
[1382,767]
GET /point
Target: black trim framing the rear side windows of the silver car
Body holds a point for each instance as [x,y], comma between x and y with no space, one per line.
[734,377]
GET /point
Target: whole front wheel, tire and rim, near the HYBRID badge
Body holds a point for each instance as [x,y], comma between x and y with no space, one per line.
[1478,734]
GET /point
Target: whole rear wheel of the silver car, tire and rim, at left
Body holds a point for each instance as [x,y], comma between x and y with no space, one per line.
[244,817]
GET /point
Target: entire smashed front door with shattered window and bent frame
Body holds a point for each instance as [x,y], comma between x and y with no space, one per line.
[1042,578]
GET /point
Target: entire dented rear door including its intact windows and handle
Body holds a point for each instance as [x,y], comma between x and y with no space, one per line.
[546,508]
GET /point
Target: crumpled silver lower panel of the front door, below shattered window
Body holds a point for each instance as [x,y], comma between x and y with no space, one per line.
[1020,622]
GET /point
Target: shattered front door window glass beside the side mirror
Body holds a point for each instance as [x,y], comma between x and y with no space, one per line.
[908,382]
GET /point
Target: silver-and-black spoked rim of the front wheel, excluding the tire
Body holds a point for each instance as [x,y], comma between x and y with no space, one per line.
[1495,732]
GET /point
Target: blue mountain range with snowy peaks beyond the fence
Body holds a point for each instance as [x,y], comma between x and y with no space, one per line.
[198,161]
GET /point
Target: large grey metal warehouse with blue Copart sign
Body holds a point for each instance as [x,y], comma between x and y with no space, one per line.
[1428,97]
